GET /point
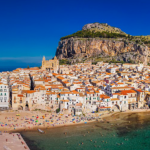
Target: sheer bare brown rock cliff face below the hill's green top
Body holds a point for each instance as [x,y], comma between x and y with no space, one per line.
[120,49]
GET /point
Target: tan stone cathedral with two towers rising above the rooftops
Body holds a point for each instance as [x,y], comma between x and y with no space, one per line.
[50,65]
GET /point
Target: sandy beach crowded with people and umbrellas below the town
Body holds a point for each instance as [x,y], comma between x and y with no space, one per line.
[13,121]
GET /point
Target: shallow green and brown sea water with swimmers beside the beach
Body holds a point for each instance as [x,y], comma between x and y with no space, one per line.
[123,132]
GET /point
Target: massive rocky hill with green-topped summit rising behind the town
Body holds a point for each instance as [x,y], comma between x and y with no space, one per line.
[101,42]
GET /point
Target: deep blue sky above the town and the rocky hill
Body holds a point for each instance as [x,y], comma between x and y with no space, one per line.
[31,29]
